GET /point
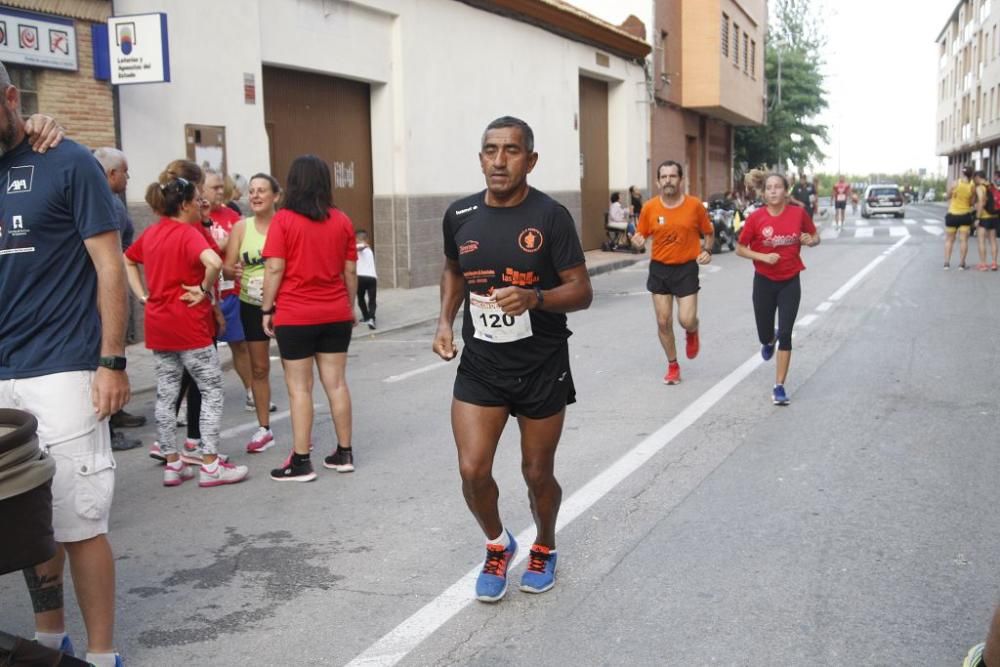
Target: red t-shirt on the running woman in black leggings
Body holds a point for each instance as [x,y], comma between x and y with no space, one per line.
[766,233]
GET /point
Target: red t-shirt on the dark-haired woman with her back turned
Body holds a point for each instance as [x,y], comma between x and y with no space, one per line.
[312,289]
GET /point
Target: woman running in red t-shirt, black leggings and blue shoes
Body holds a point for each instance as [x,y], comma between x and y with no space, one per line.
[773,237]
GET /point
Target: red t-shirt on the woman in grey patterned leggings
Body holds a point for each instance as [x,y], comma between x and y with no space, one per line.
[171,254]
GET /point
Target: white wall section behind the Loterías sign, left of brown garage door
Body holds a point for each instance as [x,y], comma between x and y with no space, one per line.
[211,45]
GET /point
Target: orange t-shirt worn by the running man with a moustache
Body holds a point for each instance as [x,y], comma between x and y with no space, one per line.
[676,232]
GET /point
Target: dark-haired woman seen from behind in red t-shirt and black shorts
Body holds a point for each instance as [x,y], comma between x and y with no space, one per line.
[310,281]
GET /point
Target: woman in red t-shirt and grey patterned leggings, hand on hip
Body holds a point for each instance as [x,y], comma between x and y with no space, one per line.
[181,269]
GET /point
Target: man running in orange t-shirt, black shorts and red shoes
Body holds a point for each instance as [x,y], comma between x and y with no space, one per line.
[675,222]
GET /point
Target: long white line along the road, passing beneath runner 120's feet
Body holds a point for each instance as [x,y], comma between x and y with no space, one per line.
[398,642]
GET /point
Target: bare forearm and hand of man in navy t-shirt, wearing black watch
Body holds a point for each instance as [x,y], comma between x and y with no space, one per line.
[110,390]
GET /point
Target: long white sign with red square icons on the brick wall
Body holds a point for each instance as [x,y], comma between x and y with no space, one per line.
[38,40]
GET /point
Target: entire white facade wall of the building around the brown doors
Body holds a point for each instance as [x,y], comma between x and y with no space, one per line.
[439,72]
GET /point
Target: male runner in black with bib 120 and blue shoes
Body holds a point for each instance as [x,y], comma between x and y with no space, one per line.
[513,256]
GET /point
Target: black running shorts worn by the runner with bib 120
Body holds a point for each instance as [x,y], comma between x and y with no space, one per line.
[542,394]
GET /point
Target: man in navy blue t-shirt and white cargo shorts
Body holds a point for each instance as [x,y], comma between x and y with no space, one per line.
[62,330]
